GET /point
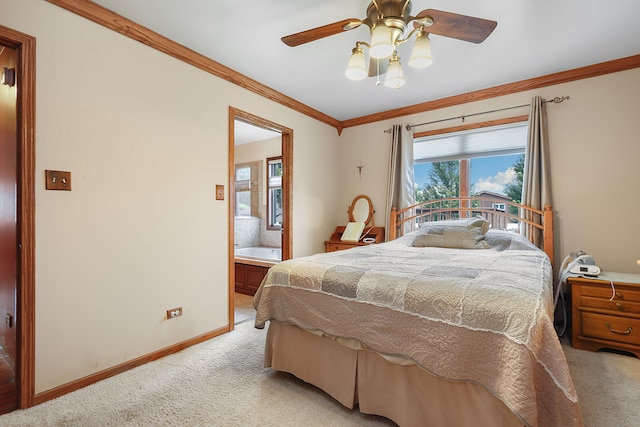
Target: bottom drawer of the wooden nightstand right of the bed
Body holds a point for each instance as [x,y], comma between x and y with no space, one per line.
[611,328]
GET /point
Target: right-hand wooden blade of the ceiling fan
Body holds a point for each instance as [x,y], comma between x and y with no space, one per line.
[461,27]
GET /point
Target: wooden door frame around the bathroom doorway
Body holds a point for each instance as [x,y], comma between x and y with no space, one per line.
[287,191]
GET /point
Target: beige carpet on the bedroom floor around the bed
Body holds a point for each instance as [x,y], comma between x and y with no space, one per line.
[222,383]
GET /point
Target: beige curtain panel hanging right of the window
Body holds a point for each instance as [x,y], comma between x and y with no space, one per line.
[536,186]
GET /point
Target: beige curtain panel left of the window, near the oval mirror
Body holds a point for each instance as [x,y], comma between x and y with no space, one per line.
[400,193]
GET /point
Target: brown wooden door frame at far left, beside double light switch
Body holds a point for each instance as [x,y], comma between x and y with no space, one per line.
[25,45]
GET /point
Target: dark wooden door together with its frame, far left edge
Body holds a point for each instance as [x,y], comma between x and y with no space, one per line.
[17,209]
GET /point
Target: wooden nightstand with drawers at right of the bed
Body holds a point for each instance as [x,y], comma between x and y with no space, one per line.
[602,322]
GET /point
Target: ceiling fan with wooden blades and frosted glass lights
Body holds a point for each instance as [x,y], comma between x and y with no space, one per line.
[389,22]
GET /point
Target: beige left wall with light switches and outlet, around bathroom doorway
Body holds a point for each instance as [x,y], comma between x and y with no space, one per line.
[146,139]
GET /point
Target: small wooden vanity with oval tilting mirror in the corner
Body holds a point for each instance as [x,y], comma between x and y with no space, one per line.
[361,210]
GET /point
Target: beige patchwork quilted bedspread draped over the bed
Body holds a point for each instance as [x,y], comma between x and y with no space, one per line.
[478,315]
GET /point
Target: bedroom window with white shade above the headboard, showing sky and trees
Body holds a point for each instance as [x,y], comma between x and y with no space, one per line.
[486,160]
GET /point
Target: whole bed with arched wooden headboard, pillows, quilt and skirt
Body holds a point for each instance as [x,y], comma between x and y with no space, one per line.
[450,324]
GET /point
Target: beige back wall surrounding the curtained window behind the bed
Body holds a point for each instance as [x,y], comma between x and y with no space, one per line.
[594,160]
